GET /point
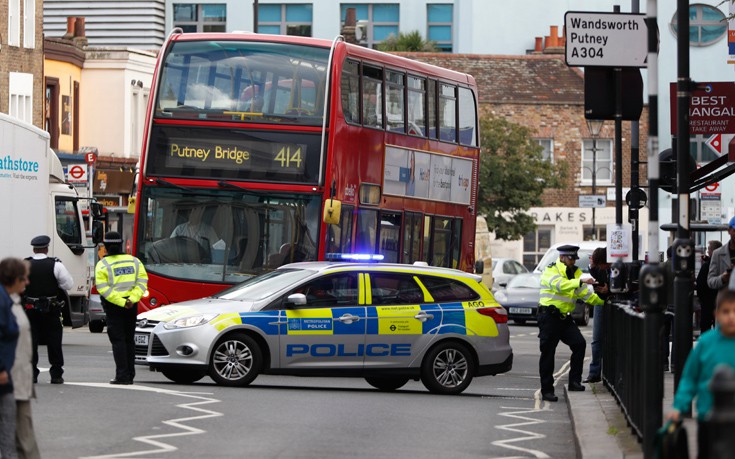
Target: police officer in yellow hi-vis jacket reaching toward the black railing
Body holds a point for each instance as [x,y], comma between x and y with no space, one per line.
[561,287]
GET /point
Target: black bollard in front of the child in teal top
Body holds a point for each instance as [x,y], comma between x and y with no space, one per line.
[722,417]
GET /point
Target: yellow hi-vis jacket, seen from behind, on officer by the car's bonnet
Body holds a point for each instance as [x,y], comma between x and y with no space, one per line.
[120,277]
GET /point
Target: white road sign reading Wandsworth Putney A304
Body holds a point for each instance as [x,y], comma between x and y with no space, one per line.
[605,39]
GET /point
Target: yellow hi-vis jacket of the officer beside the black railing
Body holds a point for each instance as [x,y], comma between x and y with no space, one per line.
[561,292]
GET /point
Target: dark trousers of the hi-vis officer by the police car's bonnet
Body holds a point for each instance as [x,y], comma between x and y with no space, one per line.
[121,331]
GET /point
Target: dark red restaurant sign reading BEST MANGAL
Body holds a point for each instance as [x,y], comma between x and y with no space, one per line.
[711,108]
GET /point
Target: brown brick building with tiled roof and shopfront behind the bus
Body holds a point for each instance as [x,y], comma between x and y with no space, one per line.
[541,92]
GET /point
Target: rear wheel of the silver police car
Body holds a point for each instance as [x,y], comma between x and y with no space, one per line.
[447,369]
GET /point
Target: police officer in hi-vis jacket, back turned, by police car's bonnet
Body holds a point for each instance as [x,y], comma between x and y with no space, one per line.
[121,281]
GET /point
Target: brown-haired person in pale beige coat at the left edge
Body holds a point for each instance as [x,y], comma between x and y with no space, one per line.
[22,372]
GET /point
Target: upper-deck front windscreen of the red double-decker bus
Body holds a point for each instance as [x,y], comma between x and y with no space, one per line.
[243,81]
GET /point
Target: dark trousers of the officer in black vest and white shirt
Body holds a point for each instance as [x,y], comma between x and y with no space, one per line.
[47,327]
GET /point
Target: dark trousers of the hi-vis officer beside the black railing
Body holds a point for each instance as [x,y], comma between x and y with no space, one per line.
[552,329]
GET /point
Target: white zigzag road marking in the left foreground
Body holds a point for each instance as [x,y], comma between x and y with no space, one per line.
[154,440]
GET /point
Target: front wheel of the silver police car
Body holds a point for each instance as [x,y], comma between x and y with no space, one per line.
[235,361]
